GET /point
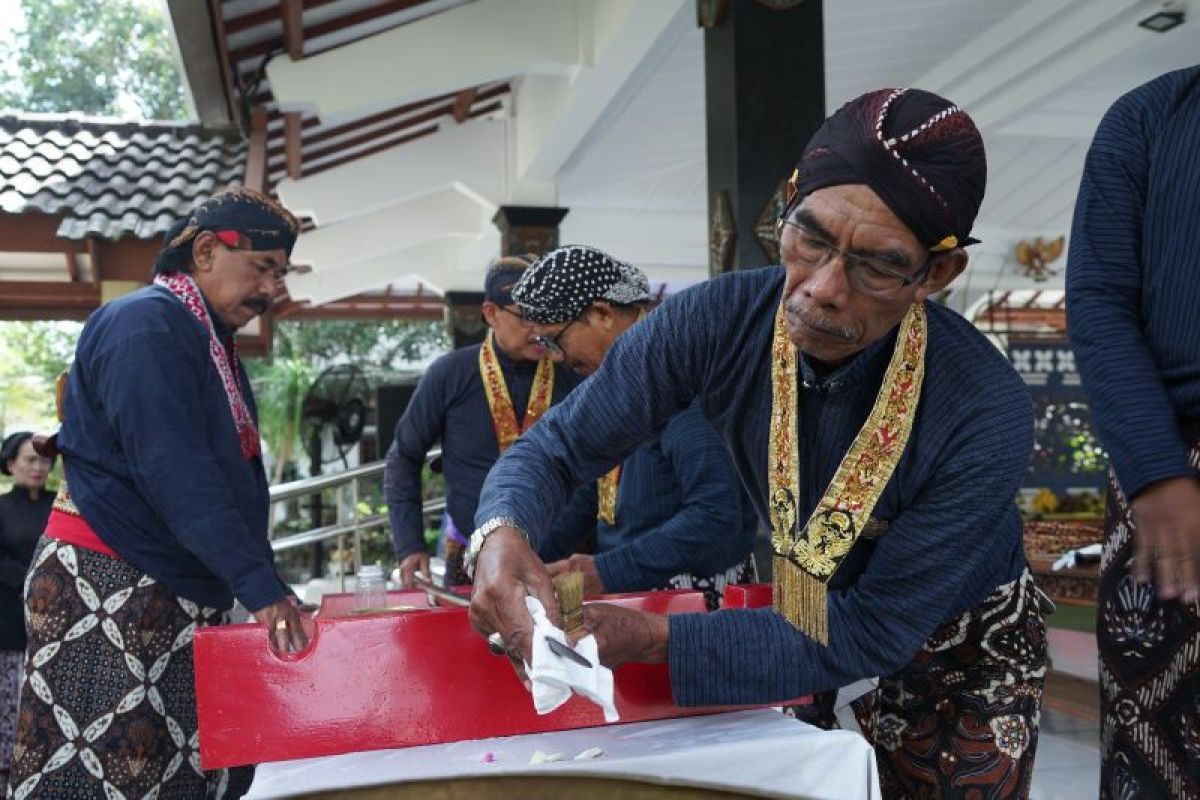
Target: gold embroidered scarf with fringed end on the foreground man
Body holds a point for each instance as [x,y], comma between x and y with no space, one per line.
[806,558]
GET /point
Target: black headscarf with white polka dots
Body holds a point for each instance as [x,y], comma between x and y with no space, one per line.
[565,282]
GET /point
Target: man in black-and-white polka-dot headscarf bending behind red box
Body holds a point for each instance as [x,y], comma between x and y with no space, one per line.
[673,515]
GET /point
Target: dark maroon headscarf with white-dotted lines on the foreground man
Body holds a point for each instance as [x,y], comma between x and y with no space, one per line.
[920,153]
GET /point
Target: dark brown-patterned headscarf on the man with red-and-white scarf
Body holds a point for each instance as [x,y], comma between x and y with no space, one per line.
[241,218]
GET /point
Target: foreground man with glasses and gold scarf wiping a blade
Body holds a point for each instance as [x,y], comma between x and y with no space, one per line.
[880,435]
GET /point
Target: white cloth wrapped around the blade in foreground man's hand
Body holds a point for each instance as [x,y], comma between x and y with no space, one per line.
[555,678]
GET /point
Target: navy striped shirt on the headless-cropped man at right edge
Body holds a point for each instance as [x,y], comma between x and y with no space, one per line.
[1133,279]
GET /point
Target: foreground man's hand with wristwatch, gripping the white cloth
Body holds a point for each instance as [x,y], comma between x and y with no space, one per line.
[506,573]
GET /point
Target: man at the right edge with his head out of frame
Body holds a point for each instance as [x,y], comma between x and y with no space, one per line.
[1132,310]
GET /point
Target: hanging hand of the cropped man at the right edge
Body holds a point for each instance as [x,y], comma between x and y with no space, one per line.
[1168,538]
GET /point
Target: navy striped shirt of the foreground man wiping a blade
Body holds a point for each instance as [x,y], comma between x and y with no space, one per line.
[953,536]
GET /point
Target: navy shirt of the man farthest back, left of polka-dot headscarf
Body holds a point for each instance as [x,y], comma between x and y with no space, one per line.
[452,407]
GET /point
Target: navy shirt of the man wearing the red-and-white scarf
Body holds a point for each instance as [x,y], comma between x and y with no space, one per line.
[153,458]
